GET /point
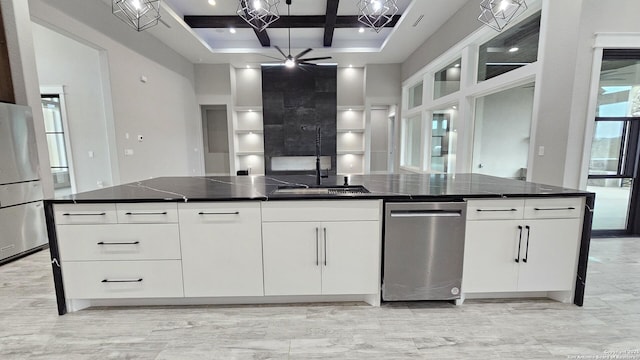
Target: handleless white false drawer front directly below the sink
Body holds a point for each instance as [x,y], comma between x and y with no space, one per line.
[338,210]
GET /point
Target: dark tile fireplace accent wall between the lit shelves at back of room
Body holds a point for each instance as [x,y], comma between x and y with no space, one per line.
[292,99]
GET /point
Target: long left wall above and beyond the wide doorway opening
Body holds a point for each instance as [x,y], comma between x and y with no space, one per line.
[163,109]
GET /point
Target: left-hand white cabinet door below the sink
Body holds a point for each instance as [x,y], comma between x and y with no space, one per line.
[291,253]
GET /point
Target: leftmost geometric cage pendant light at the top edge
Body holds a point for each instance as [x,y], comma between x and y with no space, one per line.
[139,14]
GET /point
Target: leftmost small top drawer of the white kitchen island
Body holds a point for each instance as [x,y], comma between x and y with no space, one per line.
[71,214]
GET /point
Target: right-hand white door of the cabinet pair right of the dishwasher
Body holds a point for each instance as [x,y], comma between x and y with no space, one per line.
[551,258]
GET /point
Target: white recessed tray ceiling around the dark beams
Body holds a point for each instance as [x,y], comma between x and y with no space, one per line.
[350,47]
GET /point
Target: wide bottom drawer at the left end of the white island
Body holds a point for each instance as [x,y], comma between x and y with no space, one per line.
[122,279]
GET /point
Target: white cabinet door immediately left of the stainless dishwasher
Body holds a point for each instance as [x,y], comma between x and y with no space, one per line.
[350,257]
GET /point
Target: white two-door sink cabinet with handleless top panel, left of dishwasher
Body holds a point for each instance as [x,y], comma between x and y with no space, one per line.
[338,254]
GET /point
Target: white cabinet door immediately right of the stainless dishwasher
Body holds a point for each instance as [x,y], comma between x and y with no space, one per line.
[491,247]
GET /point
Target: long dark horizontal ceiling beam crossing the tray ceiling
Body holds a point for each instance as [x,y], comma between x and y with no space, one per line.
[294,21]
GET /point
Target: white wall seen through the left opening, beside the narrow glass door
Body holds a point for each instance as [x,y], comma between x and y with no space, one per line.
[84,100]
